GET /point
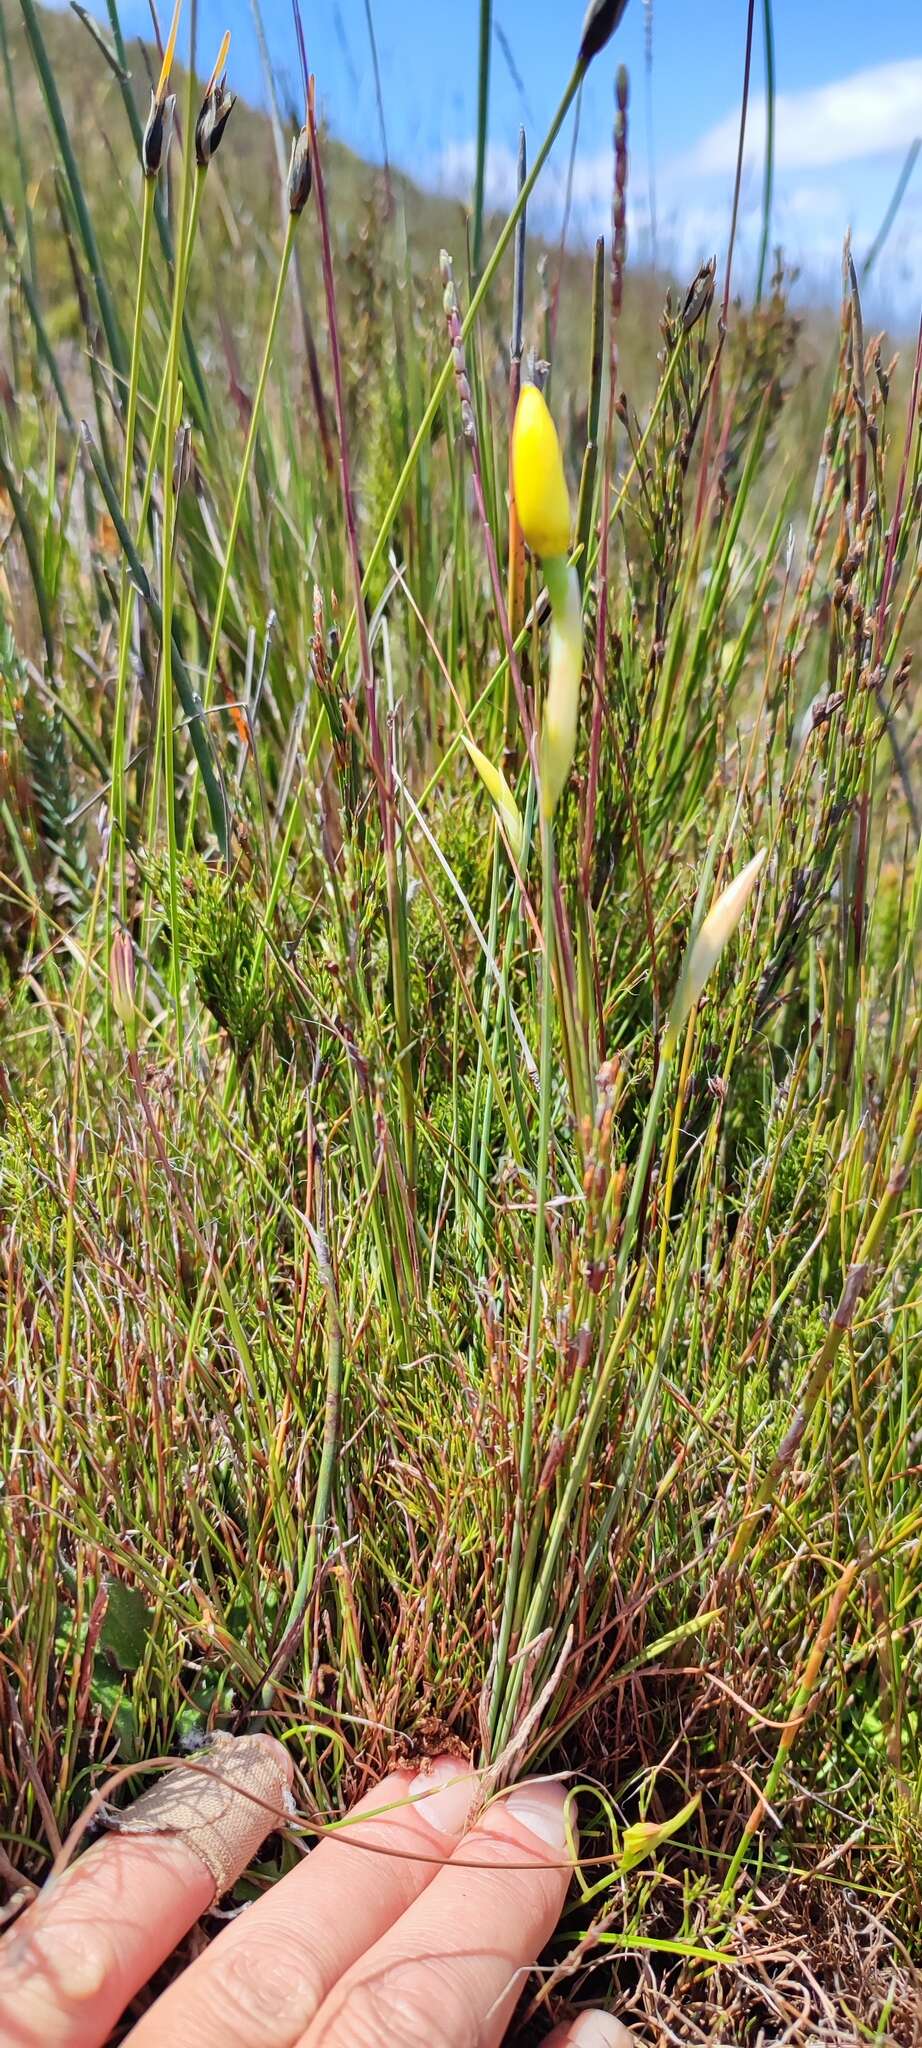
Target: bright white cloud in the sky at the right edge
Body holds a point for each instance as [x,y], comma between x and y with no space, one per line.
[872,114]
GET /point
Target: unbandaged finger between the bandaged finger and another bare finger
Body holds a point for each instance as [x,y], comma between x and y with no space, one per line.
[267,1973]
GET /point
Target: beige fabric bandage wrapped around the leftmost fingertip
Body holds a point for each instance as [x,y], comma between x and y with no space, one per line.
[222,1809]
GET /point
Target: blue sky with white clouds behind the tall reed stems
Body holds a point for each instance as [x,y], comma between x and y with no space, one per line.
[849,85]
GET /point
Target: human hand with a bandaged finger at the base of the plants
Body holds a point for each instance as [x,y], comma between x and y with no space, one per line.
[405,1928]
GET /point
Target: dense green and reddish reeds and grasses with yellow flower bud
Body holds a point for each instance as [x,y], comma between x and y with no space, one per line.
[460,1082]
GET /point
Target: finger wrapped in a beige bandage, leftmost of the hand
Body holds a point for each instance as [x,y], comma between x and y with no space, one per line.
[99,1930]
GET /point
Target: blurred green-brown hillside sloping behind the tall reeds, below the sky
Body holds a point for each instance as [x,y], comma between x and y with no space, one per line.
[241,228]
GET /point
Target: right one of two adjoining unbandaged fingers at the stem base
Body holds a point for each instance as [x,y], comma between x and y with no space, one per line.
[454,1967]
